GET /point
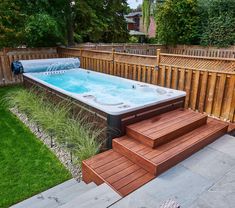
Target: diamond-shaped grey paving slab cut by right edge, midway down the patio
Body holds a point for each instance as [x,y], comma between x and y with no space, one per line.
[209,163]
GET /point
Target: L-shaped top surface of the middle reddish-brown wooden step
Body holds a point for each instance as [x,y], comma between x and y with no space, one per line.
[159,154]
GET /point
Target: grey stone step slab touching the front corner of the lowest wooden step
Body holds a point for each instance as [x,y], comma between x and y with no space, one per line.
[99,197]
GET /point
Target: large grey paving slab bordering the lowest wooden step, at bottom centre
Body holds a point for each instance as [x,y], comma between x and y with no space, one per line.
[178,184]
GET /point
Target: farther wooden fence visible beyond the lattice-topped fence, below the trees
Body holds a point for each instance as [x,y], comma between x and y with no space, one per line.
[150,49]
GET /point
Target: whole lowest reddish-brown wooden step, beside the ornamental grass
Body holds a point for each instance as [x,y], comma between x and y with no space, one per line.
[116,170]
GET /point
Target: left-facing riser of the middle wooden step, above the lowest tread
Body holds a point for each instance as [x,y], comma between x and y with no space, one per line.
[137,159]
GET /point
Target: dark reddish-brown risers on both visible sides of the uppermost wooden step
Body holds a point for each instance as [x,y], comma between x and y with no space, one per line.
[168,137]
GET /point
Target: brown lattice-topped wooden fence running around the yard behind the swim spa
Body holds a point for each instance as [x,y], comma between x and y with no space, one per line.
[208,90]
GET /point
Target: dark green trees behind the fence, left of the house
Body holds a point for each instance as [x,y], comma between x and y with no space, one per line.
[47,23]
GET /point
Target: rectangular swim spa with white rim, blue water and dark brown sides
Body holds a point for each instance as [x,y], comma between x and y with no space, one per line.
[115,101]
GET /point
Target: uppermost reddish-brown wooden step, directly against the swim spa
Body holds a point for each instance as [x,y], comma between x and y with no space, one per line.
[165,127]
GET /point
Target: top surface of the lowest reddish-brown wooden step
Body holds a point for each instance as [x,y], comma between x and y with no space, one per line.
[120,173]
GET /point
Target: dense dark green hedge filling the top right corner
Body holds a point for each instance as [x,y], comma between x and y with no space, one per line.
[218,27]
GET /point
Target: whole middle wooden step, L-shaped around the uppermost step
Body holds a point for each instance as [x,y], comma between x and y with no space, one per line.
[159,159]
